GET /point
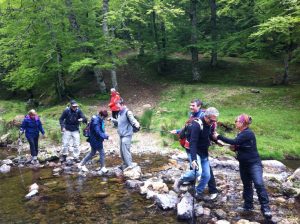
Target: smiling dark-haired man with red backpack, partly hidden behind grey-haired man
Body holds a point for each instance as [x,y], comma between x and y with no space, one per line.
[196,112]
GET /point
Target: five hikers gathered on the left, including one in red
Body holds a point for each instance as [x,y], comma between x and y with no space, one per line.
[70,121]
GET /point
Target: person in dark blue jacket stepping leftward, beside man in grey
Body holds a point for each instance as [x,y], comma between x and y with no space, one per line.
[97,136]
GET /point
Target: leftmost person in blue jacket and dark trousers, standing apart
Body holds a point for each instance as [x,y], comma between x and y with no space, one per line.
[32,127]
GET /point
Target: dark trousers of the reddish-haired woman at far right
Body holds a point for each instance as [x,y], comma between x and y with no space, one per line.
[252,173]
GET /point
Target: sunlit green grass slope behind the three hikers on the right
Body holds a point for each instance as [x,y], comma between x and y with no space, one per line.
[275,113]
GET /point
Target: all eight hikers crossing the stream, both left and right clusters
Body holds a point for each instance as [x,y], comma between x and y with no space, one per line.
[196,136]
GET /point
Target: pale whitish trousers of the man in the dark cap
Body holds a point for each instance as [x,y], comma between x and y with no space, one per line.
[67,137]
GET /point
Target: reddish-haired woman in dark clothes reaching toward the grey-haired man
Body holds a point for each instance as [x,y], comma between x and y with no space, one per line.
[251,169]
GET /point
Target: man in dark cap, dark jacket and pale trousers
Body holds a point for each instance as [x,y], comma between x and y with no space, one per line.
[69,122]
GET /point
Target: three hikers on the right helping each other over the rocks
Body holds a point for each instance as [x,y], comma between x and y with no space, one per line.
[196,137]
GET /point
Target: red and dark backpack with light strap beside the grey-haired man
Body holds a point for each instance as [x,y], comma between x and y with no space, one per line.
[185,132]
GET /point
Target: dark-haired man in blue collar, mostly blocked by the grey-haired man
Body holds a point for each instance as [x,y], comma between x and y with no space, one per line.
[184,137]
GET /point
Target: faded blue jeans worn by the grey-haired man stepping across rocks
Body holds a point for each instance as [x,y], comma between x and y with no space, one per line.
[204,171]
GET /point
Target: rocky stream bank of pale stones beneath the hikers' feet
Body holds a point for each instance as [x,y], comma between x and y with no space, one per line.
[156,183]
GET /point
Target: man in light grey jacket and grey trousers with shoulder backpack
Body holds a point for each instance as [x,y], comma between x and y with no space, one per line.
[125,123]
